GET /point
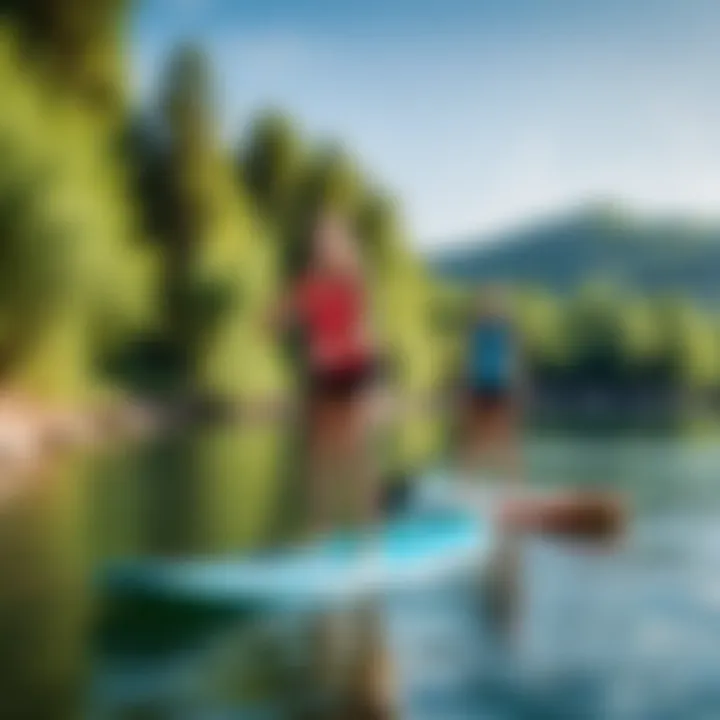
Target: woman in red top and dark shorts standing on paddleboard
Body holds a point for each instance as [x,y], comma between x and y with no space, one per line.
[329,304]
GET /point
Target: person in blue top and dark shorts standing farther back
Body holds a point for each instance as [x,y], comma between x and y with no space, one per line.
[490,380]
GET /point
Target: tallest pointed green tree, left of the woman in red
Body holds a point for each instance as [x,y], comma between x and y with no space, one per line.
[219,271]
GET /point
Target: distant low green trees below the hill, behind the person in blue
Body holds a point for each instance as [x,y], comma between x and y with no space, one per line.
[603,341]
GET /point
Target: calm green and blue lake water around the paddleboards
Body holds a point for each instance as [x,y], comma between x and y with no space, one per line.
[625,633]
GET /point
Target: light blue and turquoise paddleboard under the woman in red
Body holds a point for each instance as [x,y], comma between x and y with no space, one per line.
[339,568]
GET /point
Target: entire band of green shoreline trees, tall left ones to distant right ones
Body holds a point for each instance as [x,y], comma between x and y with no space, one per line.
[140,251]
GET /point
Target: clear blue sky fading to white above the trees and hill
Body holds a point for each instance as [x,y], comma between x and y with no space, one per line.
[478,114]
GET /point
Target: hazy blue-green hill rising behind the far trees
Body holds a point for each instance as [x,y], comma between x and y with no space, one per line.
[595,243]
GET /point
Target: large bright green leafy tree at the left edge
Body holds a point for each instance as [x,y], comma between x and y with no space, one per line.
[72,279]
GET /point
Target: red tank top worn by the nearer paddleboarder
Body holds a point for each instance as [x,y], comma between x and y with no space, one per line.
[332,313]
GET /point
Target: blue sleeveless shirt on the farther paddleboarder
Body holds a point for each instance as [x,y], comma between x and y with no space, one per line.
[490,355]
